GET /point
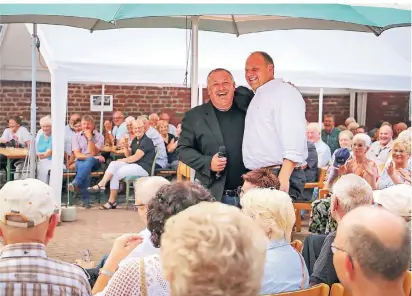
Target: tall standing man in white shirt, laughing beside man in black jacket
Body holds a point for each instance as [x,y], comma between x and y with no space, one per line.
[275,127]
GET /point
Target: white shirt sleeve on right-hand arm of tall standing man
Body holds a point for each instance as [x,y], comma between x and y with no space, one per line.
[290,121]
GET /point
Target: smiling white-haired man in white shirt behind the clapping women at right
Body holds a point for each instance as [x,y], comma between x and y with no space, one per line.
[380,150]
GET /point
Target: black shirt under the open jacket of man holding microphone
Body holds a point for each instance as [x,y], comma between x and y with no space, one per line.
[232,125]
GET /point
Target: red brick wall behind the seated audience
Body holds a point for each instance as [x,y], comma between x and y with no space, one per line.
[15,97]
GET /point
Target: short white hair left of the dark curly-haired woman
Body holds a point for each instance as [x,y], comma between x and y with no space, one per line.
[146,188]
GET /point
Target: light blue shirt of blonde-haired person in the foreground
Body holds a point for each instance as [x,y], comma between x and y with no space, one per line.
[283,269]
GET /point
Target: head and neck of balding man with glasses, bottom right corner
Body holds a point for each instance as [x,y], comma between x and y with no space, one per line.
[371,252]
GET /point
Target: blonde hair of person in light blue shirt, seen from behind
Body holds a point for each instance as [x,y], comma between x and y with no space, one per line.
[273,210]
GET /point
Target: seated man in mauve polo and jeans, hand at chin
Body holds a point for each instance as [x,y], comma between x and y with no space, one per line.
[86,147]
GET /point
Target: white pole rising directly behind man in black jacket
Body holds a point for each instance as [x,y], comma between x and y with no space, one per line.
[194,91]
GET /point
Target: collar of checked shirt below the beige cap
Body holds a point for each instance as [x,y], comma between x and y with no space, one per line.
[23,250]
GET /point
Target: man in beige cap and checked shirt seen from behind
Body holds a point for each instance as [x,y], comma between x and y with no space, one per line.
[29,216]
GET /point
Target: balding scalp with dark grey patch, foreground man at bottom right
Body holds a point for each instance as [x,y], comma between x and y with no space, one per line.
[378,241]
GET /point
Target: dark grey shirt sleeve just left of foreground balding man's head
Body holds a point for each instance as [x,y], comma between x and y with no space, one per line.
[323,270]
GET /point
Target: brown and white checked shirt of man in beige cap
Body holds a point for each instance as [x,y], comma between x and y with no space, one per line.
[26,270]
